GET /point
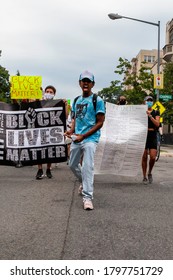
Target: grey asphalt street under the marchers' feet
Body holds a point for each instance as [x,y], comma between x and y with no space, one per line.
[45,219]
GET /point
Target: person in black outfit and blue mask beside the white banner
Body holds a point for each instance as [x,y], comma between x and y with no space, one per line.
[151,141]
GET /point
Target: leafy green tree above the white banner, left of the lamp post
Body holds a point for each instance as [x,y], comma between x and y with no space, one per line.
[134,87]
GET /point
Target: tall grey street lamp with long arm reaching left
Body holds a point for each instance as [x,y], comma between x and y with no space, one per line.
[117,16]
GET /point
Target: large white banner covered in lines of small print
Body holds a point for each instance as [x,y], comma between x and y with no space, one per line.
[122,141]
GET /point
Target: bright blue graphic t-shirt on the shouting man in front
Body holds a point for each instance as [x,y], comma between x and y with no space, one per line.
[85,116]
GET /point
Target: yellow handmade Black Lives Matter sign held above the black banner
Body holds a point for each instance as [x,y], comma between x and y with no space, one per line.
[26,87]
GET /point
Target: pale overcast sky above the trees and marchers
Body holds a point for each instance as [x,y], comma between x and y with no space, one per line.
[58,39]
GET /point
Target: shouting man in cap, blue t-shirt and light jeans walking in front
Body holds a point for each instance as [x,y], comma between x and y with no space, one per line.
[85,133]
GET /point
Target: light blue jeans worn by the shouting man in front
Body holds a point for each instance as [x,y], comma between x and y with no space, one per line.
[84,173]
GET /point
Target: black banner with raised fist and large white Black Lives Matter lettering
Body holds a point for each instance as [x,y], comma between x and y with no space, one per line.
[32,132]
